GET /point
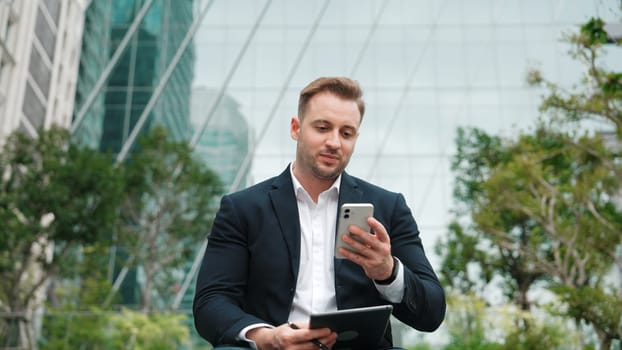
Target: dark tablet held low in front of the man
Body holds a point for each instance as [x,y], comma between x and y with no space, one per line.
[360,328]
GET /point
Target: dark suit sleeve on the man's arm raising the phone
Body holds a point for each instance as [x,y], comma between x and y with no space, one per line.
[423,306]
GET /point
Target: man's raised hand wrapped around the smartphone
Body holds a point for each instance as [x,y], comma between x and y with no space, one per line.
[371,252]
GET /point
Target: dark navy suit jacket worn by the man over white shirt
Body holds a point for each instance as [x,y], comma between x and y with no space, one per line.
[250,268]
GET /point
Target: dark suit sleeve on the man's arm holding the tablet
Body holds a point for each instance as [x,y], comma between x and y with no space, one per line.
[218,302]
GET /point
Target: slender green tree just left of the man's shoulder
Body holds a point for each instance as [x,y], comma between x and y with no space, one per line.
[169,203]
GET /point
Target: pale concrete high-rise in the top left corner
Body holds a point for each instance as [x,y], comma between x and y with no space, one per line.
[39,52]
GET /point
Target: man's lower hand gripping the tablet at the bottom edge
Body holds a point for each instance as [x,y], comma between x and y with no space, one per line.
[285,337]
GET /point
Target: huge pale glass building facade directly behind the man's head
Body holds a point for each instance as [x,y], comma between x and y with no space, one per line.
[427,67]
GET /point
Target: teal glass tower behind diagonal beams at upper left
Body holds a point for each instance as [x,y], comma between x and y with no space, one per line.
[137,83]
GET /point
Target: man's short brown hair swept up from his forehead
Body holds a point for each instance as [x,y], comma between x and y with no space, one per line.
[343,87]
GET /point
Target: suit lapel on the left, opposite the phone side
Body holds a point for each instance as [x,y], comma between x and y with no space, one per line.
[285,207]
